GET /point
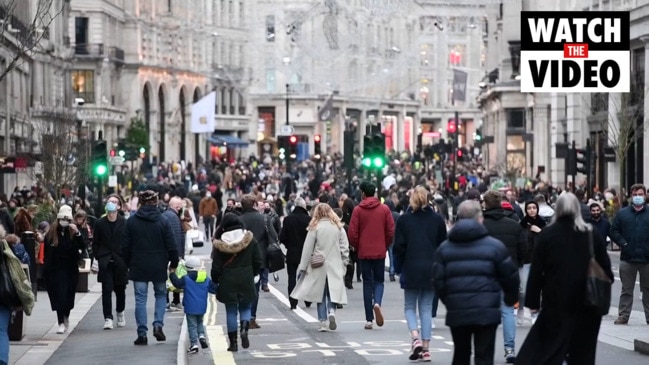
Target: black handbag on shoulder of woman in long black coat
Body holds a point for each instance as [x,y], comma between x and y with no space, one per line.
[598,284]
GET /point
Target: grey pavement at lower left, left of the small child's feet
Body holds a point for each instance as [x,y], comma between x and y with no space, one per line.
[87,342]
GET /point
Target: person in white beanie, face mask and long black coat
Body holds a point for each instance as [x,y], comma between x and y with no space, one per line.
[63,245]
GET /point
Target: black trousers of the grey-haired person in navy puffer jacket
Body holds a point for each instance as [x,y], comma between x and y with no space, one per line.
[484,342]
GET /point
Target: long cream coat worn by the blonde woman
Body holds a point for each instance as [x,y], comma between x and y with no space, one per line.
[330,241]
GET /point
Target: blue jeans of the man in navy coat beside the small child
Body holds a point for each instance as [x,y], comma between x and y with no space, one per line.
[141,290]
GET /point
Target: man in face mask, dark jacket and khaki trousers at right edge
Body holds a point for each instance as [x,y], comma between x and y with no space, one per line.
[630,230]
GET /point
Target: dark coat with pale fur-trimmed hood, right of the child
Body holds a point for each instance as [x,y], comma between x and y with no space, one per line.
[236,262]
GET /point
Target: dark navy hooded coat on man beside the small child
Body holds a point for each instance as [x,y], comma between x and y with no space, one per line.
[148,245]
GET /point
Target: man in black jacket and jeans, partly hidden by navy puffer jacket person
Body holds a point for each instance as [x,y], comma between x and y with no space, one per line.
[510,233]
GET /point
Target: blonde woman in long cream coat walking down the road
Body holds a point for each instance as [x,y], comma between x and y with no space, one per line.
[324,285]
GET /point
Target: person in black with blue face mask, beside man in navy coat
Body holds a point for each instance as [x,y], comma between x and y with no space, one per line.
[106,246]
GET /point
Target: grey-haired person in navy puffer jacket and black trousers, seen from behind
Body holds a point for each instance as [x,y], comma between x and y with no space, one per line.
[471,272]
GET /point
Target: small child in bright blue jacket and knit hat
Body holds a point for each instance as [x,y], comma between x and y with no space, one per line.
[195,287]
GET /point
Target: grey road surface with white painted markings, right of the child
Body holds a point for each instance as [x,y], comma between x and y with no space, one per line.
[291,337]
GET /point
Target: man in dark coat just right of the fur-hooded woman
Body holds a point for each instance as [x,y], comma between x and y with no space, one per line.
[255,222]
